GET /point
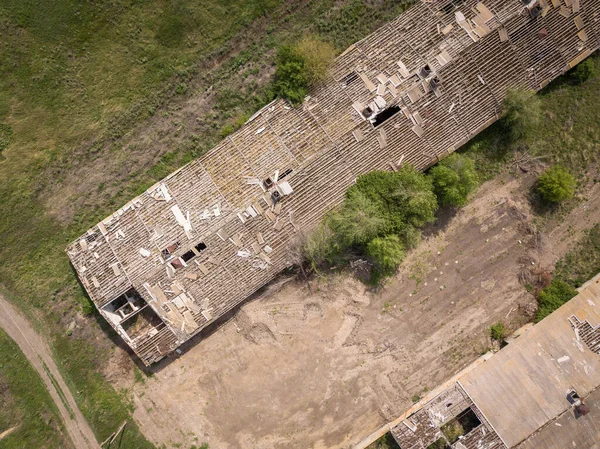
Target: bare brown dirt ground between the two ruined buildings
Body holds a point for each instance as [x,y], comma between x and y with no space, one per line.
[323,366]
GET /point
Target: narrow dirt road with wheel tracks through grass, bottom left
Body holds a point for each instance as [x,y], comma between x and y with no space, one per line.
[38,354]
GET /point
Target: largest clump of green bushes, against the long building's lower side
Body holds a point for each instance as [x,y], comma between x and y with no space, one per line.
[381,216]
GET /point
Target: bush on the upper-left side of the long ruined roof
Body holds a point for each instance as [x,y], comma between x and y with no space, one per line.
[300,67]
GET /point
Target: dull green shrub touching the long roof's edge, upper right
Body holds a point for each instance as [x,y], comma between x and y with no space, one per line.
[522,113]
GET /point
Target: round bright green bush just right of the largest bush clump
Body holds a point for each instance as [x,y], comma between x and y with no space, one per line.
[453,179]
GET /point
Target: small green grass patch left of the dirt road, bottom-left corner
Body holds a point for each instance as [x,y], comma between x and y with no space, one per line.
[26,403]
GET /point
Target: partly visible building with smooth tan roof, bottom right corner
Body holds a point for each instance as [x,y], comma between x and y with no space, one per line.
[542,391]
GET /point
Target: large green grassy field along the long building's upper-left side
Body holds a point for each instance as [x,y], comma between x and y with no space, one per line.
[79,75]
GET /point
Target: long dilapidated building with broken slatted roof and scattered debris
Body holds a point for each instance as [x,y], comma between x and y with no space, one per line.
[198,243]
